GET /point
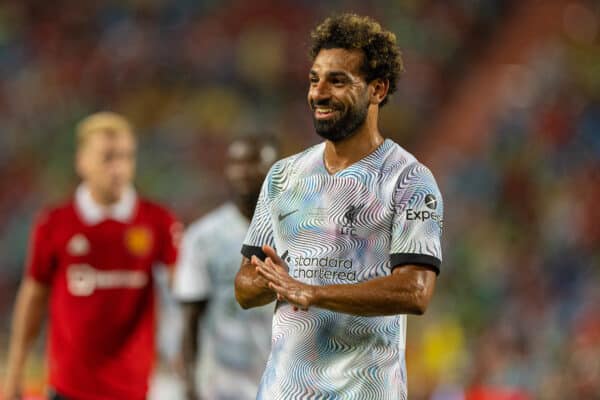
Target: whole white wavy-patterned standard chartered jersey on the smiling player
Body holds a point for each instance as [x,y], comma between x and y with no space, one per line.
[315,217]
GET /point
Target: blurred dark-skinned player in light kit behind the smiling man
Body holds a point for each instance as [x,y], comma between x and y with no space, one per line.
[234,344]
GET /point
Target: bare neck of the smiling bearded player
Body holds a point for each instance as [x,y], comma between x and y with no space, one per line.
[342,154]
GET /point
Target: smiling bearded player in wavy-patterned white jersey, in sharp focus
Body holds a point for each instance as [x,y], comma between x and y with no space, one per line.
[346,234]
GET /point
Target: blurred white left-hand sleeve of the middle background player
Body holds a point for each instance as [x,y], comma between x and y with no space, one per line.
[192,278]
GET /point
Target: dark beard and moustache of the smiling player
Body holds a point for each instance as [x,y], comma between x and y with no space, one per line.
[338,129]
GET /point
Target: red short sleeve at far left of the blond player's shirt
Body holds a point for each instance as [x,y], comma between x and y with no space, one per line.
[42,258]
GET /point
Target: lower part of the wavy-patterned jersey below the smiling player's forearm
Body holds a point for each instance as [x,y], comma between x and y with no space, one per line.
[330,358]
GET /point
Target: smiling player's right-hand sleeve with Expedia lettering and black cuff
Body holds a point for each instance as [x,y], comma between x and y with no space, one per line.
[418,220]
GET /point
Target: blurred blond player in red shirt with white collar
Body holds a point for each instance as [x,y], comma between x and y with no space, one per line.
[90,265]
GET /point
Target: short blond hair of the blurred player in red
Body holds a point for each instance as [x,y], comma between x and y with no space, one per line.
[102,122]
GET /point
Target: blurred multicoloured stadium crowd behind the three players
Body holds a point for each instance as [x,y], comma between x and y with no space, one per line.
[513,316]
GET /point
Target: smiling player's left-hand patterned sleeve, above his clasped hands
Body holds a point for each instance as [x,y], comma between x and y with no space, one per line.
[261,227]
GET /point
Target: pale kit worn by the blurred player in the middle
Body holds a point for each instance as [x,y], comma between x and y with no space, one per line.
[235,343]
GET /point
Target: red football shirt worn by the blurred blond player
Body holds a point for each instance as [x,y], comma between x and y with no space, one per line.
[102,304]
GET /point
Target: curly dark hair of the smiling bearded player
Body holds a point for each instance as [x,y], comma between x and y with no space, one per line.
[382,57]
